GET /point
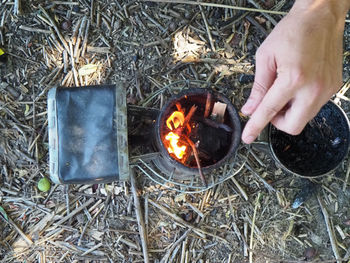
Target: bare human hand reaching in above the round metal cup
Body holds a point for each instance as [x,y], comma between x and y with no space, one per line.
[298,67]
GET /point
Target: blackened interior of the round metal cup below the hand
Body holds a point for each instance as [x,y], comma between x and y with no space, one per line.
[320,147]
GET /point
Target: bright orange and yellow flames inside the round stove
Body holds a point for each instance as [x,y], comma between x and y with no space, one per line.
[175,120]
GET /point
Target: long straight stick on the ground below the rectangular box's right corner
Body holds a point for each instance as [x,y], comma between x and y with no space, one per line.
[139,217]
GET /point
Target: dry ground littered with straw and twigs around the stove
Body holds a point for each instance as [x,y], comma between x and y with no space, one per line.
[148,46]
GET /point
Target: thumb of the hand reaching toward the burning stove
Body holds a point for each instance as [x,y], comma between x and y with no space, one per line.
[265,75]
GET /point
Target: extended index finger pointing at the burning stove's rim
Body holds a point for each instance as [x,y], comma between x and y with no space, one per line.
[273,102]
